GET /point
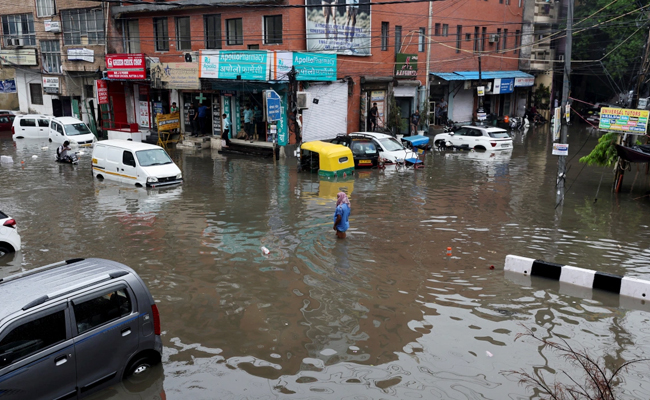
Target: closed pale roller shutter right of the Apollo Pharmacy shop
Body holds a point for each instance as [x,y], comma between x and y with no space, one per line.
[329,117]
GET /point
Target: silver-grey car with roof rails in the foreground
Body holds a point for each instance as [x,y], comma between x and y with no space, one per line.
[73,327]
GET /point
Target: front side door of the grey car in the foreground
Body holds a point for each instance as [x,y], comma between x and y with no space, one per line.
[37,357]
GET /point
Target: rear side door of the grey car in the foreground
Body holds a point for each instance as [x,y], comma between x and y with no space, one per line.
[105,323]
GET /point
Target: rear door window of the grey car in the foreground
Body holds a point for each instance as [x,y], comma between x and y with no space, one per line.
[102,309]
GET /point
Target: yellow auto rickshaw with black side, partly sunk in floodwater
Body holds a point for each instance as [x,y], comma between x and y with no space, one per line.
[330,160]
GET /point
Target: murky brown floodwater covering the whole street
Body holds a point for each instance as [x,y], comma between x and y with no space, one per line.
[384,313]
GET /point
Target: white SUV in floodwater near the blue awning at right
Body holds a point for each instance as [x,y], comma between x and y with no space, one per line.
[475,137]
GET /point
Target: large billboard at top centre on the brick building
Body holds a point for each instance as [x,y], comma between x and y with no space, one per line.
[340,30]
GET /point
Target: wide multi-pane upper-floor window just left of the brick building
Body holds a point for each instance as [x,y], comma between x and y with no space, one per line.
[83,27]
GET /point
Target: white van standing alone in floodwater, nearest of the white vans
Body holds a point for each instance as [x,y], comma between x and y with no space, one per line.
[139,164]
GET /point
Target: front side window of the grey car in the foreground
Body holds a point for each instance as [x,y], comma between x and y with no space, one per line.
[31,337]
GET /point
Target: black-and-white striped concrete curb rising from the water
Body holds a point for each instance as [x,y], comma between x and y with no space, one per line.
[625,286]
